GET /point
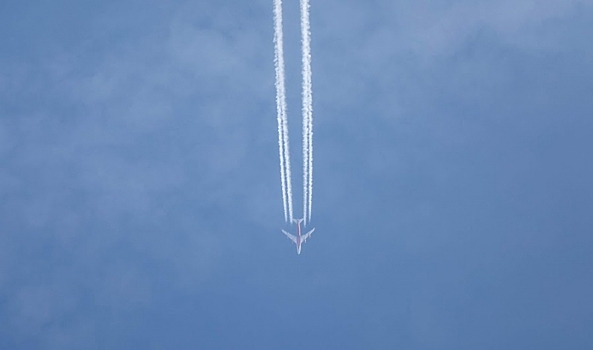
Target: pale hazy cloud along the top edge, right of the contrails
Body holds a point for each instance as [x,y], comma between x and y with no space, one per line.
[384,45]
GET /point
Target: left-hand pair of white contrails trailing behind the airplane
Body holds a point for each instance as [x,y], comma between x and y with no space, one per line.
[283,144]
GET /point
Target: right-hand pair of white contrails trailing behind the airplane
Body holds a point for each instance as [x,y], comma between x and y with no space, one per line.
[307,111]
